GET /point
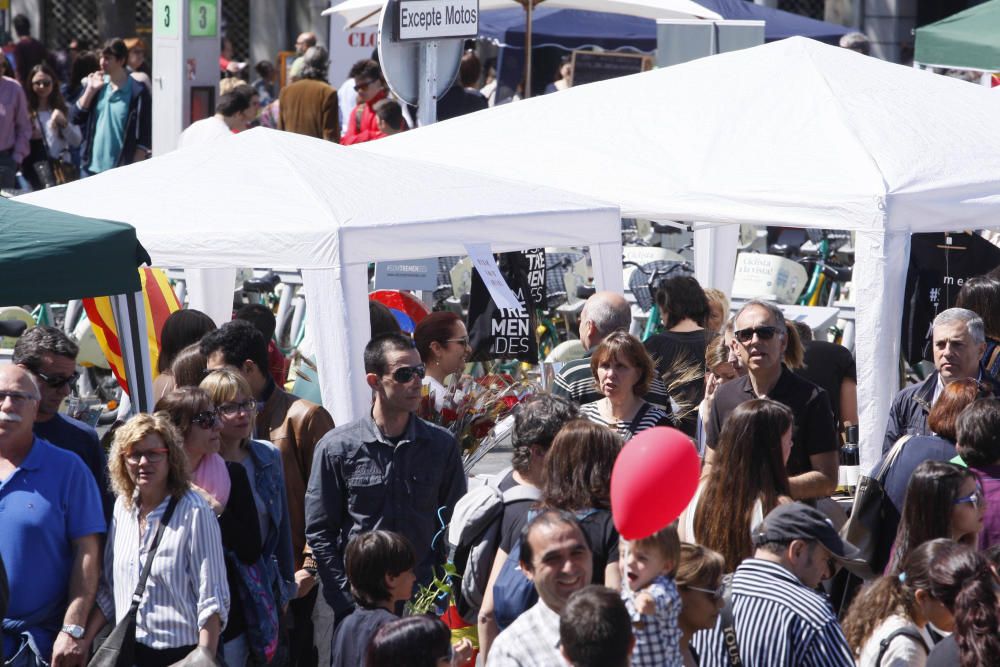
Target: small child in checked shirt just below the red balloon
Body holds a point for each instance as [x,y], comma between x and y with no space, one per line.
[651,596]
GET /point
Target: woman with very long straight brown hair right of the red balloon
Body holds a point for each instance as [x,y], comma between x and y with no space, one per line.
[748,480]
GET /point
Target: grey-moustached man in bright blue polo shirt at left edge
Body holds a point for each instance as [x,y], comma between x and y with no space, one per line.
[51,525]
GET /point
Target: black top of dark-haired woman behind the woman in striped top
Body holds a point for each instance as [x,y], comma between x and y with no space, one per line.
[674,352]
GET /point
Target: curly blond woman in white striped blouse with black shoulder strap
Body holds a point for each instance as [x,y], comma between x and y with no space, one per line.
[186,601]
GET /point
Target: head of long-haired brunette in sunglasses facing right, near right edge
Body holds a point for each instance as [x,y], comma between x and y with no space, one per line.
[942,500]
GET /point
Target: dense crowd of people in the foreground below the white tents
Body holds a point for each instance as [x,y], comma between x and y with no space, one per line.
[256,531]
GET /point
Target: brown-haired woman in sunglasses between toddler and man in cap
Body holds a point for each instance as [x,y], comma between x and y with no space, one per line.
[699,582]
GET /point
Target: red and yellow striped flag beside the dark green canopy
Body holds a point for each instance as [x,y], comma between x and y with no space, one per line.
[160,302]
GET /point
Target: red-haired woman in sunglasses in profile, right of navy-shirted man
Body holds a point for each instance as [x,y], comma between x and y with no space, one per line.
[443,344]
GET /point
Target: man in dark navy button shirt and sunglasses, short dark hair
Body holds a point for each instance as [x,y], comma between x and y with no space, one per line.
[388,470]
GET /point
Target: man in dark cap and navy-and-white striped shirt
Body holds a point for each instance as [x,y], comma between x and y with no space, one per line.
[777,614]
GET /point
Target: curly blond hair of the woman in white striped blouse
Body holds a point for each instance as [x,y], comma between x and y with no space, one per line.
[134,431]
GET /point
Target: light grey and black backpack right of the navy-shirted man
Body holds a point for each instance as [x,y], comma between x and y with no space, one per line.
[474,537]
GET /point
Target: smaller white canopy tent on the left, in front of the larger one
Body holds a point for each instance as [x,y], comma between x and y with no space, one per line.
[273,199]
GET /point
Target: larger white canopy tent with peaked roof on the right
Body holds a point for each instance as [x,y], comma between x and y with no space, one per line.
[794,133]
